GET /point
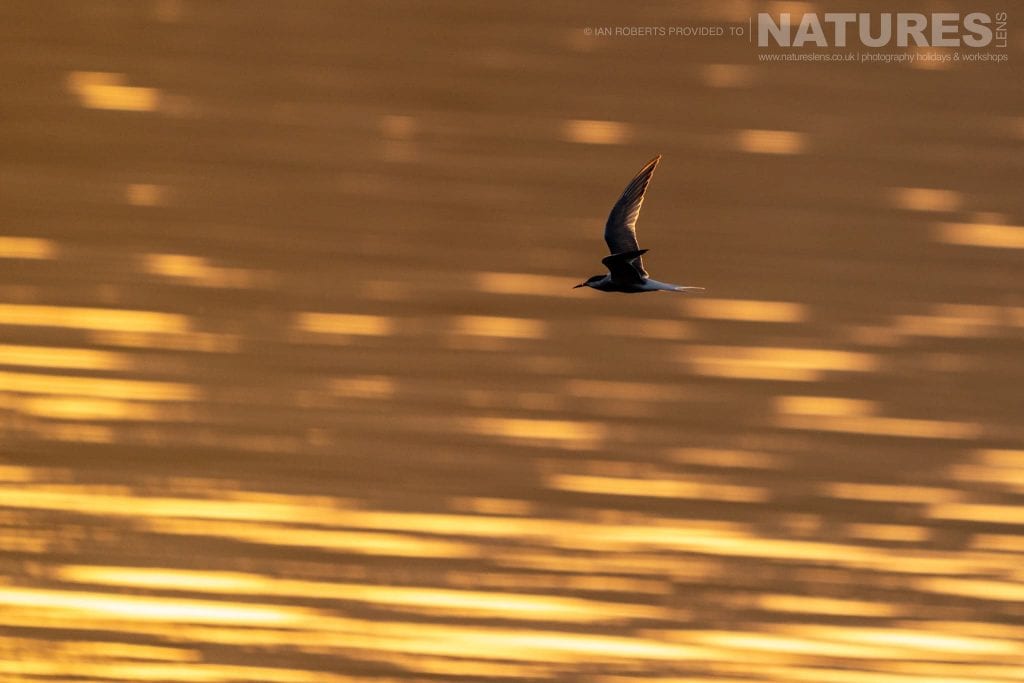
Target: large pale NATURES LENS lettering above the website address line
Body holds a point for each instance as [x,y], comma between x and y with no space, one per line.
[885,30]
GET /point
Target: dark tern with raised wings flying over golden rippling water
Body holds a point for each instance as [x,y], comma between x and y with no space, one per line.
[626,272]
